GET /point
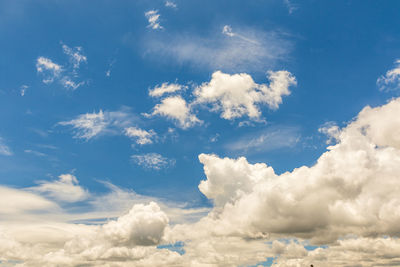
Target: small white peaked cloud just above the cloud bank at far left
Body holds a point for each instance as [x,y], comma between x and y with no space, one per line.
[65,189]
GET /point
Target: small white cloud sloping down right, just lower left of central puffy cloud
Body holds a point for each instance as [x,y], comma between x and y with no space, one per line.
[176,108]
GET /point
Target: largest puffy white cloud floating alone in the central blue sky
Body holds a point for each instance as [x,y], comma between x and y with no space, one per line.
[238,95]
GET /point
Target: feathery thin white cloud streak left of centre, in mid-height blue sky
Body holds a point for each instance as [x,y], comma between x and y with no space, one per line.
[90,125]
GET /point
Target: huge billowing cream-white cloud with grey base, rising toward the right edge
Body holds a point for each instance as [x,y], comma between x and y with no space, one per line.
[348,191]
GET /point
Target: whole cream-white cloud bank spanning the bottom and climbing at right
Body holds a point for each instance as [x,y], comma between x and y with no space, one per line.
[348,202]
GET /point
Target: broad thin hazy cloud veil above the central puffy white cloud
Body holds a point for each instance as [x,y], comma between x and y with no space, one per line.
[245,50]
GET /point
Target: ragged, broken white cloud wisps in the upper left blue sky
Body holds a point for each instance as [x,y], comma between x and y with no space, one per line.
[64,74]
